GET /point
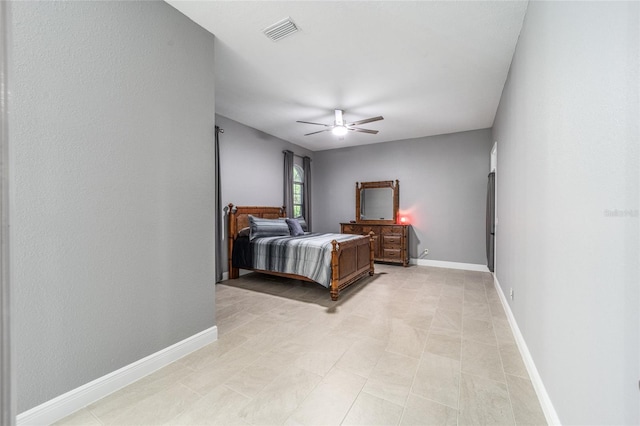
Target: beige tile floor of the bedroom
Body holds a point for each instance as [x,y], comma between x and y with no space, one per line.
[408,346]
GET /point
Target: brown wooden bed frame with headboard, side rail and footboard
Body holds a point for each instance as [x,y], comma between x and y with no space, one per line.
[350,260]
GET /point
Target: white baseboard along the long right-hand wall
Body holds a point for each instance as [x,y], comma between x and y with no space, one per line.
[536,380]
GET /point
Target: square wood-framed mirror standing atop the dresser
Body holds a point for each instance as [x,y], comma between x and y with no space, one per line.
[377,202]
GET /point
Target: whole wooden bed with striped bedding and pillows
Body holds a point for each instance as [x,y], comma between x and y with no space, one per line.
[302,257]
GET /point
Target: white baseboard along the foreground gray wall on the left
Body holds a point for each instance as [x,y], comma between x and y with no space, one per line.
[70,402]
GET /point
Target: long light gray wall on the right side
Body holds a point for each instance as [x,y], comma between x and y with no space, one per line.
[568,187]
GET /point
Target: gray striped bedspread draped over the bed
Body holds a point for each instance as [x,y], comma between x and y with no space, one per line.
[307,255]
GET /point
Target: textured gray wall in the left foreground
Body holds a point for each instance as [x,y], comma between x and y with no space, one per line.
[112,113]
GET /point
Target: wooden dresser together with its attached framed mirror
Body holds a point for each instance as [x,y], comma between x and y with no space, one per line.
[377,205]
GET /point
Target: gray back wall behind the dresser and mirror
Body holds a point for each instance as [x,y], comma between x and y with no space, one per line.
[443,182]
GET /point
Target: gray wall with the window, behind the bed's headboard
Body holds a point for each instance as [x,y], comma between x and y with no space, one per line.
[251,168]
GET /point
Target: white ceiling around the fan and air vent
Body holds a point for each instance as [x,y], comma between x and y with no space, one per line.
[428,67]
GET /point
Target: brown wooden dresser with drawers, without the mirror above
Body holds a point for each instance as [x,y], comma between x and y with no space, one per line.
[391,242]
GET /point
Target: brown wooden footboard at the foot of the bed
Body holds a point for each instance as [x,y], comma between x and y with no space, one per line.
[350,261]
